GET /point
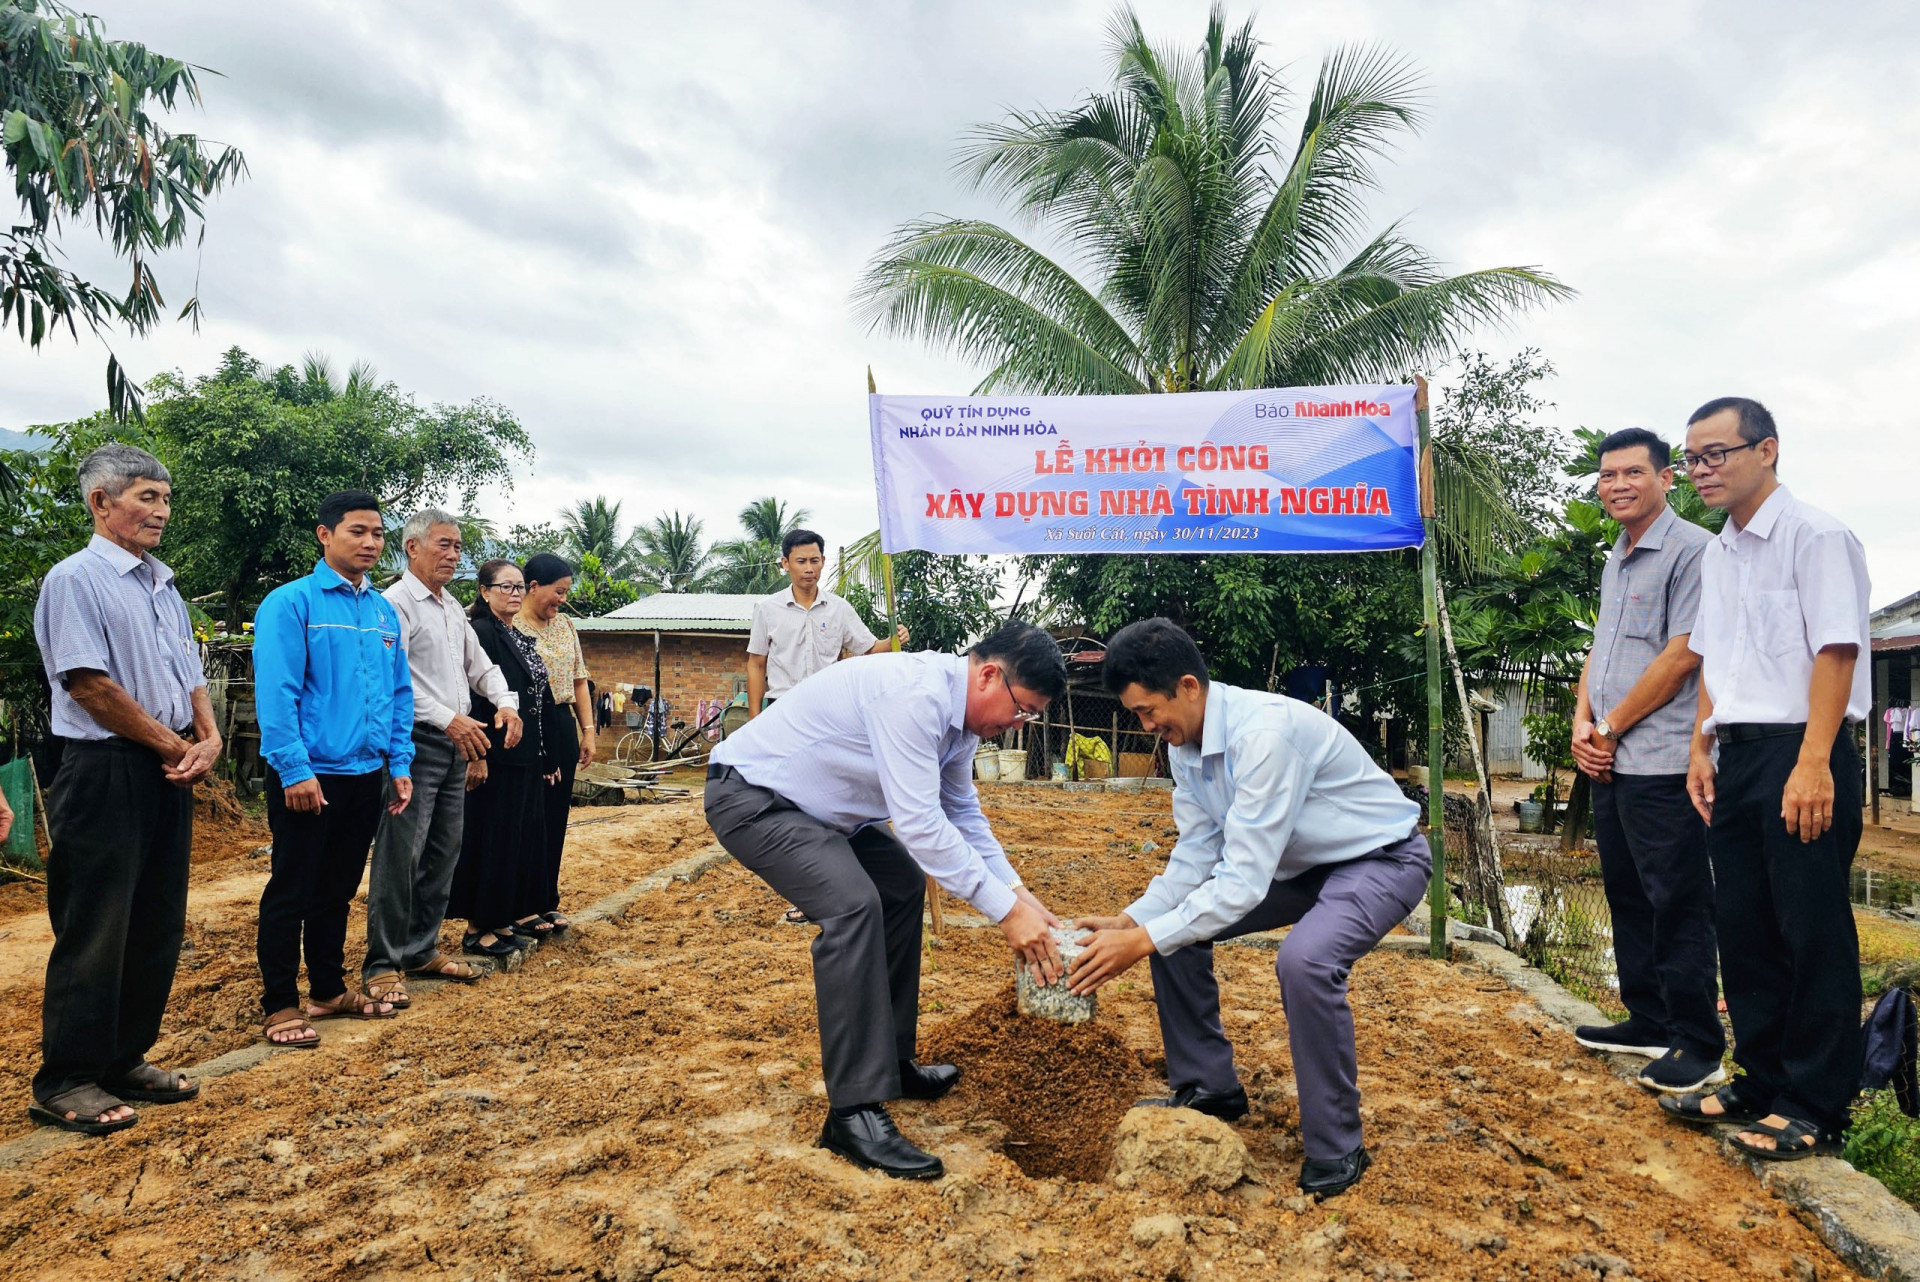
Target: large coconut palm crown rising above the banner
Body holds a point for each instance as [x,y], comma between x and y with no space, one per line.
[1211,258]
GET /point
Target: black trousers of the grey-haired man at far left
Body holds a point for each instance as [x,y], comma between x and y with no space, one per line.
[116,891]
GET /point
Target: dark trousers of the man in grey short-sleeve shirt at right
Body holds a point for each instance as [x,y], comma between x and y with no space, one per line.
[1660,890]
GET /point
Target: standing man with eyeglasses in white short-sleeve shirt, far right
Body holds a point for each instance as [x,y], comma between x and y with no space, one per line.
[1783,630]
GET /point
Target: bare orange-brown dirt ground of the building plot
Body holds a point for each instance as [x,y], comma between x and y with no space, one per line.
[640,1103]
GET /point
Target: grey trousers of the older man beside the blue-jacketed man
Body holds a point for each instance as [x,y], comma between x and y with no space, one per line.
[414,859]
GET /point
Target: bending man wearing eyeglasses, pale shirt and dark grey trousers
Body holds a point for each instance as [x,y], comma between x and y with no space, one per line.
[802,797]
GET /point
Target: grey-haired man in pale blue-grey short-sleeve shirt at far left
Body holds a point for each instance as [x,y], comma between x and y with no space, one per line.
[132,713]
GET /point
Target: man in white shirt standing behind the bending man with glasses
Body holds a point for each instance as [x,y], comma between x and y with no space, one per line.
[804,629]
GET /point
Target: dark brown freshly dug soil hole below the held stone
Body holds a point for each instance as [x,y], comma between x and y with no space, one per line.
[1057,1089]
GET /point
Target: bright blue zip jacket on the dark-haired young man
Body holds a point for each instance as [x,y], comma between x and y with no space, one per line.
[331,680]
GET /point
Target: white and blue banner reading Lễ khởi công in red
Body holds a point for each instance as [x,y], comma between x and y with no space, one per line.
[1278,471]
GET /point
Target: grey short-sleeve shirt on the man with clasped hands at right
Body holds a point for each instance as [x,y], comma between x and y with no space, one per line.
[1648,596]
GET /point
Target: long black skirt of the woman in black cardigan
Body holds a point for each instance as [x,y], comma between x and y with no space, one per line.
[504,849]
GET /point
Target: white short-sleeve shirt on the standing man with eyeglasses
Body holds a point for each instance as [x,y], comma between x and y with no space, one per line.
[1773,596]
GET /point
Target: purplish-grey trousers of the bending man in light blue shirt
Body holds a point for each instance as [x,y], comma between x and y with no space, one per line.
[1337,913]
